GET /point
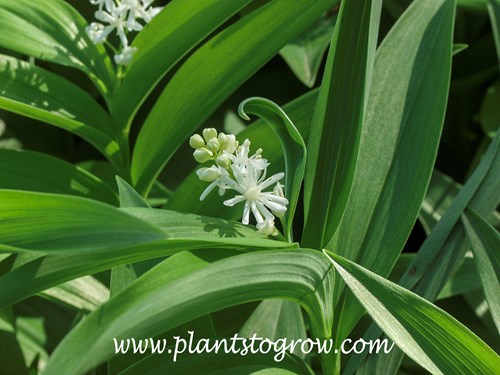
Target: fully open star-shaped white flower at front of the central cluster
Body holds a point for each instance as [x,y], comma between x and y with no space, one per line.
[250,185]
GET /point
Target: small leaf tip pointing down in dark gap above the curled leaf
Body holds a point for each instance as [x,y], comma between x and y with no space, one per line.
[305,53]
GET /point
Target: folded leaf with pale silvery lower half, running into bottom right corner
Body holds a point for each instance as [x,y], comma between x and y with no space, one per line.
[427,334]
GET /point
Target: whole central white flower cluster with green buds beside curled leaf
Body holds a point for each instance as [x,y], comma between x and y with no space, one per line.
[235,170]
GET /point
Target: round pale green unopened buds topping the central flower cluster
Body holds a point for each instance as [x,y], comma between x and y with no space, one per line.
[213,146]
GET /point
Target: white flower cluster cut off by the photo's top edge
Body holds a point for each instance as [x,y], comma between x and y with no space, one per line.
[122,16]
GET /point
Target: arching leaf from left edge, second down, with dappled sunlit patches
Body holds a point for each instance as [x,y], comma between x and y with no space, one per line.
[31,91]
